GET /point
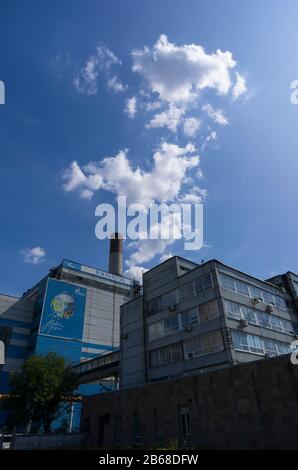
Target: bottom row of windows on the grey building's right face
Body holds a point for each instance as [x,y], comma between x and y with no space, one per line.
[258,345]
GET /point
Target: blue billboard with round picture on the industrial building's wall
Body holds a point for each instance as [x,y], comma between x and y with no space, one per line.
[63,310]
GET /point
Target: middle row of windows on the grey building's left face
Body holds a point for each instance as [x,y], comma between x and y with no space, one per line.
[178,322]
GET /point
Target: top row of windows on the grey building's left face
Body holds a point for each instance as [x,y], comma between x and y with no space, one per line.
[187,291]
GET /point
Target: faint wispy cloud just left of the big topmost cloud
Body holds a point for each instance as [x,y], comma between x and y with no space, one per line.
[86,80]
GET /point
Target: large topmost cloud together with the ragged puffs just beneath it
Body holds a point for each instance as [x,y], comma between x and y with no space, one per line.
[174,78]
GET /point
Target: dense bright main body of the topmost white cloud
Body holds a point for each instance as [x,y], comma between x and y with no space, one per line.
[179,73]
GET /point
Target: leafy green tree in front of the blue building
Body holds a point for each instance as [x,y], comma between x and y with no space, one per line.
[39,393]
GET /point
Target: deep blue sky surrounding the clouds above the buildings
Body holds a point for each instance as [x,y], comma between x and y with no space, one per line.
[54,116]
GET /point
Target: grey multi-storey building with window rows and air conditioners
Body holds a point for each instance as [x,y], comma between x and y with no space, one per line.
[199,317]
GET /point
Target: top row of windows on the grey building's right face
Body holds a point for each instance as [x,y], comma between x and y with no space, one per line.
[249,290]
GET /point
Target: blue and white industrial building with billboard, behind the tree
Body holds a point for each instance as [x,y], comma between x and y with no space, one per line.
[74,311]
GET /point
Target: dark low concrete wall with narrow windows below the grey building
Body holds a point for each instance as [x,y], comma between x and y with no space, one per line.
[248,406]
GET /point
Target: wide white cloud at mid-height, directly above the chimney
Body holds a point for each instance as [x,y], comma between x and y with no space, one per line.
[164,182]
